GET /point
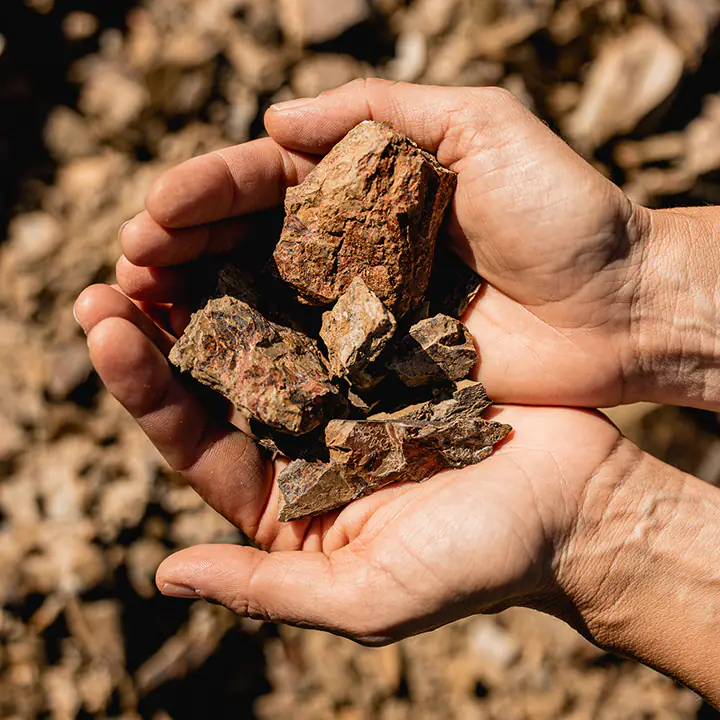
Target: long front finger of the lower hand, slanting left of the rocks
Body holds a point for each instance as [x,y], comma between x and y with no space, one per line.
[221,463]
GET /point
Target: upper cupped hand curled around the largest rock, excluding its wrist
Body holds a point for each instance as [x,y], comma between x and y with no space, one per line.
[559,245]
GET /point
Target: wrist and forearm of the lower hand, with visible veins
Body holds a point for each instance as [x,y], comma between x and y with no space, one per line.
[641,571]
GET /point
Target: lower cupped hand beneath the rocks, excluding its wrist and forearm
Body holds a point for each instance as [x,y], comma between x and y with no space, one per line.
[406,559]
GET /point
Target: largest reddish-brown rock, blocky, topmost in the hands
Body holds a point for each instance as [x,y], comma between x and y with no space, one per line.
[371,208]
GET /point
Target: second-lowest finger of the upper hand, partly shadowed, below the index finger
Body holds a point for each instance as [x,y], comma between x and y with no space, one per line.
[145,243]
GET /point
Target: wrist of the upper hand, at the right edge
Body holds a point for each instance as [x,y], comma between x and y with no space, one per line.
[675,327]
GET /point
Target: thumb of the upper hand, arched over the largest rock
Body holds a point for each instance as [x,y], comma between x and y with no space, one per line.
[438,119]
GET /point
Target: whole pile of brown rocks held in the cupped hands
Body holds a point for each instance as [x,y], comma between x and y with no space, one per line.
[359,236]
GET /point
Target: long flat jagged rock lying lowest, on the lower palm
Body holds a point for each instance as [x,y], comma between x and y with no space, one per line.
[409,446]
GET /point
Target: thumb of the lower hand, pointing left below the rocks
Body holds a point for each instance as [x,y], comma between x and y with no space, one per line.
[309,589]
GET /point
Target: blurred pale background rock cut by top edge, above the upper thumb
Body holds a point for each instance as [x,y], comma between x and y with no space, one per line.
[308,22]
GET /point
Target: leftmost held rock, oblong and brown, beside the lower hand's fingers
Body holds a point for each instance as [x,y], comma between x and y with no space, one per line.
[271,373]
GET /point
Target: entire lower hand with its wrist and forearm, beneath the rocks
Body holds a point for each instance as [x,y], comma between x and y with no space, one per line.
[567,517]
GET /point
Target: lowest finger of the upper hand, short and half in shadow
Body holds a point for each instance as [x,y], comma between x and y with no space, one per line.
[158,284]
